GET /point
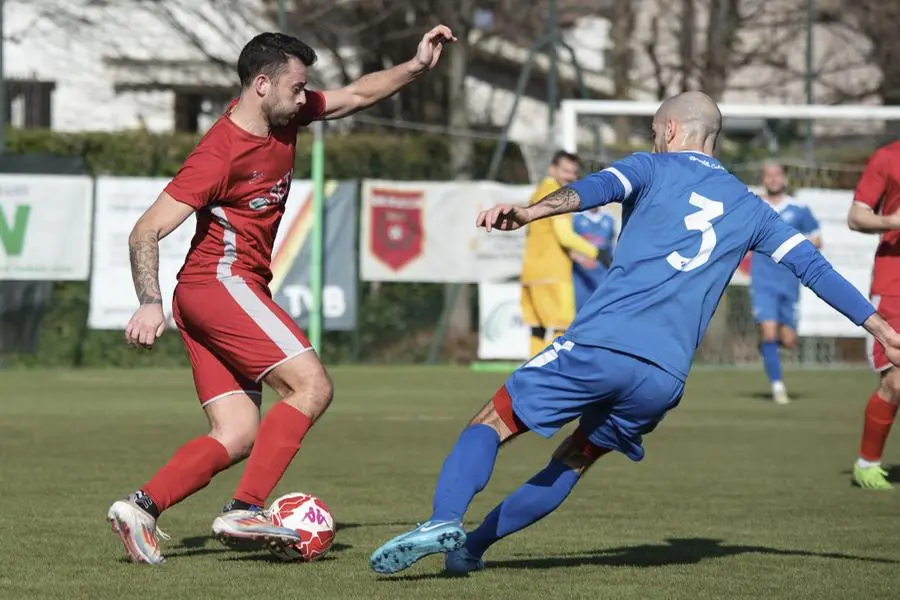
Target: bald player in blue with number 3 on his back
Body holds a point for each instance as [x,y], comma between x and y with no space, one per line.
[687,223]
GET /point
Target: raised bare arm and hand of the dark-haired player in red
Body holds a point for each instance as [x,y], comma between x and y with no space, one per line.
[374,87]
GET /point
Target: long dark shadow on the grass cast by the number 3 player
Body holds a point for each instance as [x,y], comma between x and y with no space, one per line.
[675,551]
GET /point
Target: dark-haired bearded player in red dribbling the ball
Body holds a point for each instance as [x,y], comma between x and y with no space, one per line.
[236,181]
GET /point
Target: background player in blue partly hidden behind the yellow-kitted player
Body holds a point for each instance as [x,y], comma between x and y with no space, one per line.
[599,229]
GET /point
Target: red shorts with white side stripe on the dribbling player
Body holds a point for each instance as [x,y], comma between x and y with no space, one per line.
[235,334]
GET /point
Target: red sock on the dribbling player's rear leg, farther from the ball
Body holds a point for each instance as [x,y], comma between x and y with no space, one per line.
[190,469]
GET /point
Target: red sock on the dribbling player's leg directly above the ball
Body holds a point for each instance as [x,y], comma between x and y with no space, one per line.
[277,441]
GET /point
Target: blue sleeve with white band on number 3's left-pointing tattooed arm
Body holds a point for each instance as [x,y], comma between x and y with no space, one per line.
[622,180]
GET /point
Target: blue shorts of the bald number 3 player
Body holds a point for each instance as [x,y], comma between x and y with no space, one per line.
[619,397]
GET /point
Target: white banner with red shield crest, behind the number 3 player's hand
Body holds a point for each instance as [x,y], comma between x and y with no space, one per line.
[425,231]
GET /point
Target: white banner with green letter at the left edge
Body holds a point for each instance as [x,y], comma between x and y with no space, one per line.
[45,227]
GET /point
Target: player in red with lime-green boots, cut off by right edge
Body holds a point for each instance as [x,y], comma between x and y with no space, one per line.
[876,209]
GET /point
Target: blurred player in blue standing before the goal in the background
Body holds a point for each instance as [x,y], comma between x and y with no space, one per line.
[774,291]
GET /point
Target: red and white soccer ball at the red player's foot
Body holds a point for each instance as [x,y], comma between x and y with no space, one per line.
[308,516]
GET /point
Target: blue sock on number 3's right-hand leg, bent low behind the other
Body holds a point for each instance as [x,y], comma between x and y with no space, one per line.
[537,498]
